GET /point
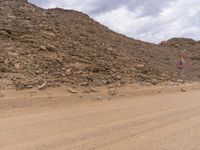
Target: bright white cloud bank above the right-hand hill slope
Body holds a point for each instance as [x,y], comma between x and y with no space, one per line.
[179,19]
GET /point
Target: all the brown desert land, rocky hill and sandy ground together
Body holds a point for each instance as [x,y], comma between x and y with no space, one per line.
[69,83]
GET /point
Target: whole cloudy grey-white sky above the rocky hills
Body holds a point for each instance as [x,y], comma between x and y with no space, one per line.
[147,20]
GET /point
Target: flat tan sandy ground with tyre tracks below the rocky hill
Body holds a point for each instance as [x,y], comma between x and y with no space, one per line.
[152,118]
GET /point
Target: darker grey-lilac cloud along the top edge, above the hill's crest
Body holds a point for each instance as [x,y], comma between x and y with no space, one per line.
[95,7]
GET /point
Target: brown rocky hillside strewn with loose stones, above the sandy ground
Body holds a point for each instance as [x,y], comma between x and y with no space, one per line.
[58,46]
